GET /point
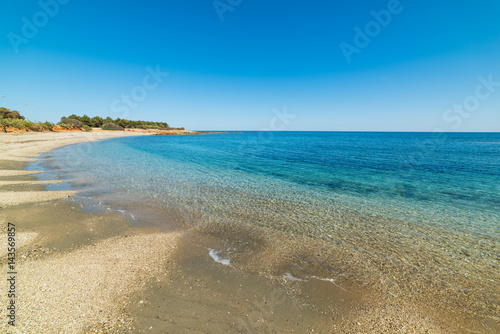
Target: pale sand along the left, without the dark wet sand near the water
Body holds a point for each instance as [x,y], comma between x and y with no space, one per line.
[75,271]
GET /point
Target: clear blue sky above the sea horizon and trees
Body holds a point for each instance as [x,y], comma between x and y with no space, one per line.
[409,65]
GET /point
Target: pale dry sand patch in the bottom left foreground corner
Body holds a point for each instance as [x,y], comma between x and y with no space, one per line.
[88,288]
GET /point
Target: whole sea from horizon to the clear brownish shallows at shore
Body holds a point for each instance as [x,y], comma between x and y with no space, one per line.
[391,209]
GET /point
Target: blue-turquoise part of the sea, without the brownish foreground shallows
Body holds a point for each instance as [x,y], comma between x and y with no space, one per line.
[452,181]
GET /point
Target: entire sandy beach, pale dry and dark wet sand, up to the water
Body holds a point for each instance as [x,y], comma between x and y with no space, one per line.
[84,272]
